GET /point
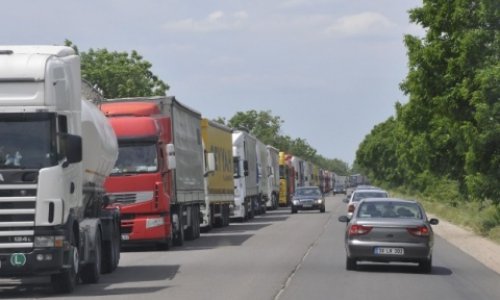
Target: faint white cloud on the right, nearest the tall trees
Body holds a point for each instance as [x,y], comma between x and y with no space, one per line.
[366,23]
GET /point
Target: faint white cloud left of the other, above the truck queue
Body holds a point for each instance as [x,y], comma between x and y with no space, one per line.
[215,21]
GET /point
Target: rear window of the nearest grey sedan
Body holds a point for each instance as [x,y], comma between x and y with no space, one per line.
[387,209]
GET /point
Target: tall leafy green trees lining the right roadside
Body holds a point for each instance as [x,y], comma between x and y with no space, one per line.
[449,129]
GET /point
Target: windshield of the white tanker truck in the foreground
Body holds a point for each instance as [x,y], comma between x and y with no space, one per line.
[27,141]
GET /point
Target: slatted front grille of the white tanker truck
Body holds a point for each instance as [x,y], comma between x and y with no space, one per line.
[17,216]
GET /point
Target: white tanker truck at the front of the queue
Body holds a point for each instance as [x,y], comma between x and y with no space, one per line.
[56,150]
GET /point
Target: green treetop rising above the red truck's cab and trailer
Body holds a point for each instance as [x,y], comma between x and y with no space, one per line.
[120,74]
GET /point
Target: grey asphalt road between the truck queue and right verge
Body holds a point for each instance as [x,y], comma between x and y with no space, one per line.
[275,256]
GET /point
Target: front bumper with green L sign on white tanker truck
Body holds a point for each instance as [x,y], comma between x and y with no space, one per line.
[42,261]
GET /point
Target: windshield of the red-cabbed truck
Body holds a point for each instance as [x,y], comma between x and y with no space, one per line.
[136,158]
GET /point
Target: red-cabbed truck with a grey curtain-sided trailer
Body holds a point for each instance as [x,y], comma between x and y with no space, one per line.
[158,179]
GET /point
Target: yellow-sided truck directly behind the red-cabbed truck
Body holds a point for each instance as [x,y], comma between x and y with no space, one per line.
[219,182]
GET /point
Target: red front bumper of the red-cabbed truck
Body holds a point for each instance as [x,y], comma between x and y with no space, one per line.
[149,228]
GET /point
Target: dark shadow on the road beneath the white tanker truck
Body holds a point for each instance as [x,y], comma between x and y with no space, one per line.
[117,283]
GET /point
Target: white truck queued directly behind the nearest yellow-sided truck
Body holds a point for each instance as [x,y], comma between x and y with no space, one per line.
[246,189]
